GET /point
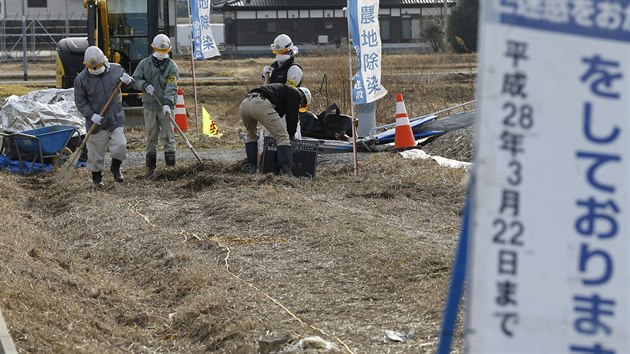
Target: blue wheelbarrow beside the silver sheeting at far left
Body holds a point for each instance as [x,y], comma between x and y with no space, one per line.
[39,145]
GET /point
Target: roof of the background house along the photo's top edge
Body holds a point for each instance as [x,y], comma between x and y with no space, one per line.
[319,4]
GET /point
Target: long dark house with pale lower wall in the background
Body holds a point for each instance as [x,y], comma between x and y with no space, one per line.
[252,25]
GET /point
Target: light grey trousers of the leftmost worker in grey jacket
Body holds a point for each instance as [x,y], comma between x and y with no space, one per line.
[97,146]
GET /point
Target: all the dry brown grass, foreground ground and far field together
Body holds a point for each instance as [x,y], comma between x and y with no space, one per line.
[210,259]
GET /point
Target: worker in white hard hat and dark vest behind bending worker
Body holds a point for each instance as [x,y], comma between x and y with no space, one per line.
[285,70]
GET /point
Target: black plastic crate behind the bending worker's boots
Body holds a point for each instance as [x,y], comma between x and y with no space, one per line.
[304,160]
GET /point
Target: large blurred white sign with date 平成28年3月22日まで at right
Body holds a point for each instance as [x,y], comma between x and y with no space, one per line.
[549,252]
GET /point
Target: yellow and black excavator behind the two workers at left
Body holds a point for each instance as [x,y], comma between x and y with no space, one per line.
[123,29]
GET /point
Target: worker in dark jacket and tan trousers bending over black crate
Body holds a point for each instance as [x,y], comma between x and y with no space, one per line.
[266,105]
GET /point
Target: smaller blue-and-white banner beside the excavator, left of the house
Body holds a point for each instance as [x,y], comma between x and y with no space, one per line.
[203,43]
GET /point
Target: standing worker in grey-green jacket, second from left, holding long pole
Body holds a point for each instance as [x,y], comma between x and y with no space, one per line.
[157,75]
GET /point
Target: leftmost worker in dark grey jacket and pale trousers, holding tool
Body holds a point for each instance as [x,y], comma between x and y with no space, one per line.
[92,88]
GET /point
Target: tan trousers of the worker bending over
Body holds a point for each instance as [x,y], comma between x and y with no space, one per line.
[254,110]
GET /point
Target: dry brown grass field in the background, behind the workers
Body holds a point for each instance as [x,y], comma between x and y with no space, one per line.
[429,83]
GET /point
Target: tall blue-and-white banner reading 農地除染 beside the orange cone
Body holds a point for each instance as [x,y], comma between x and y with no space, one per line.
[366,39]
